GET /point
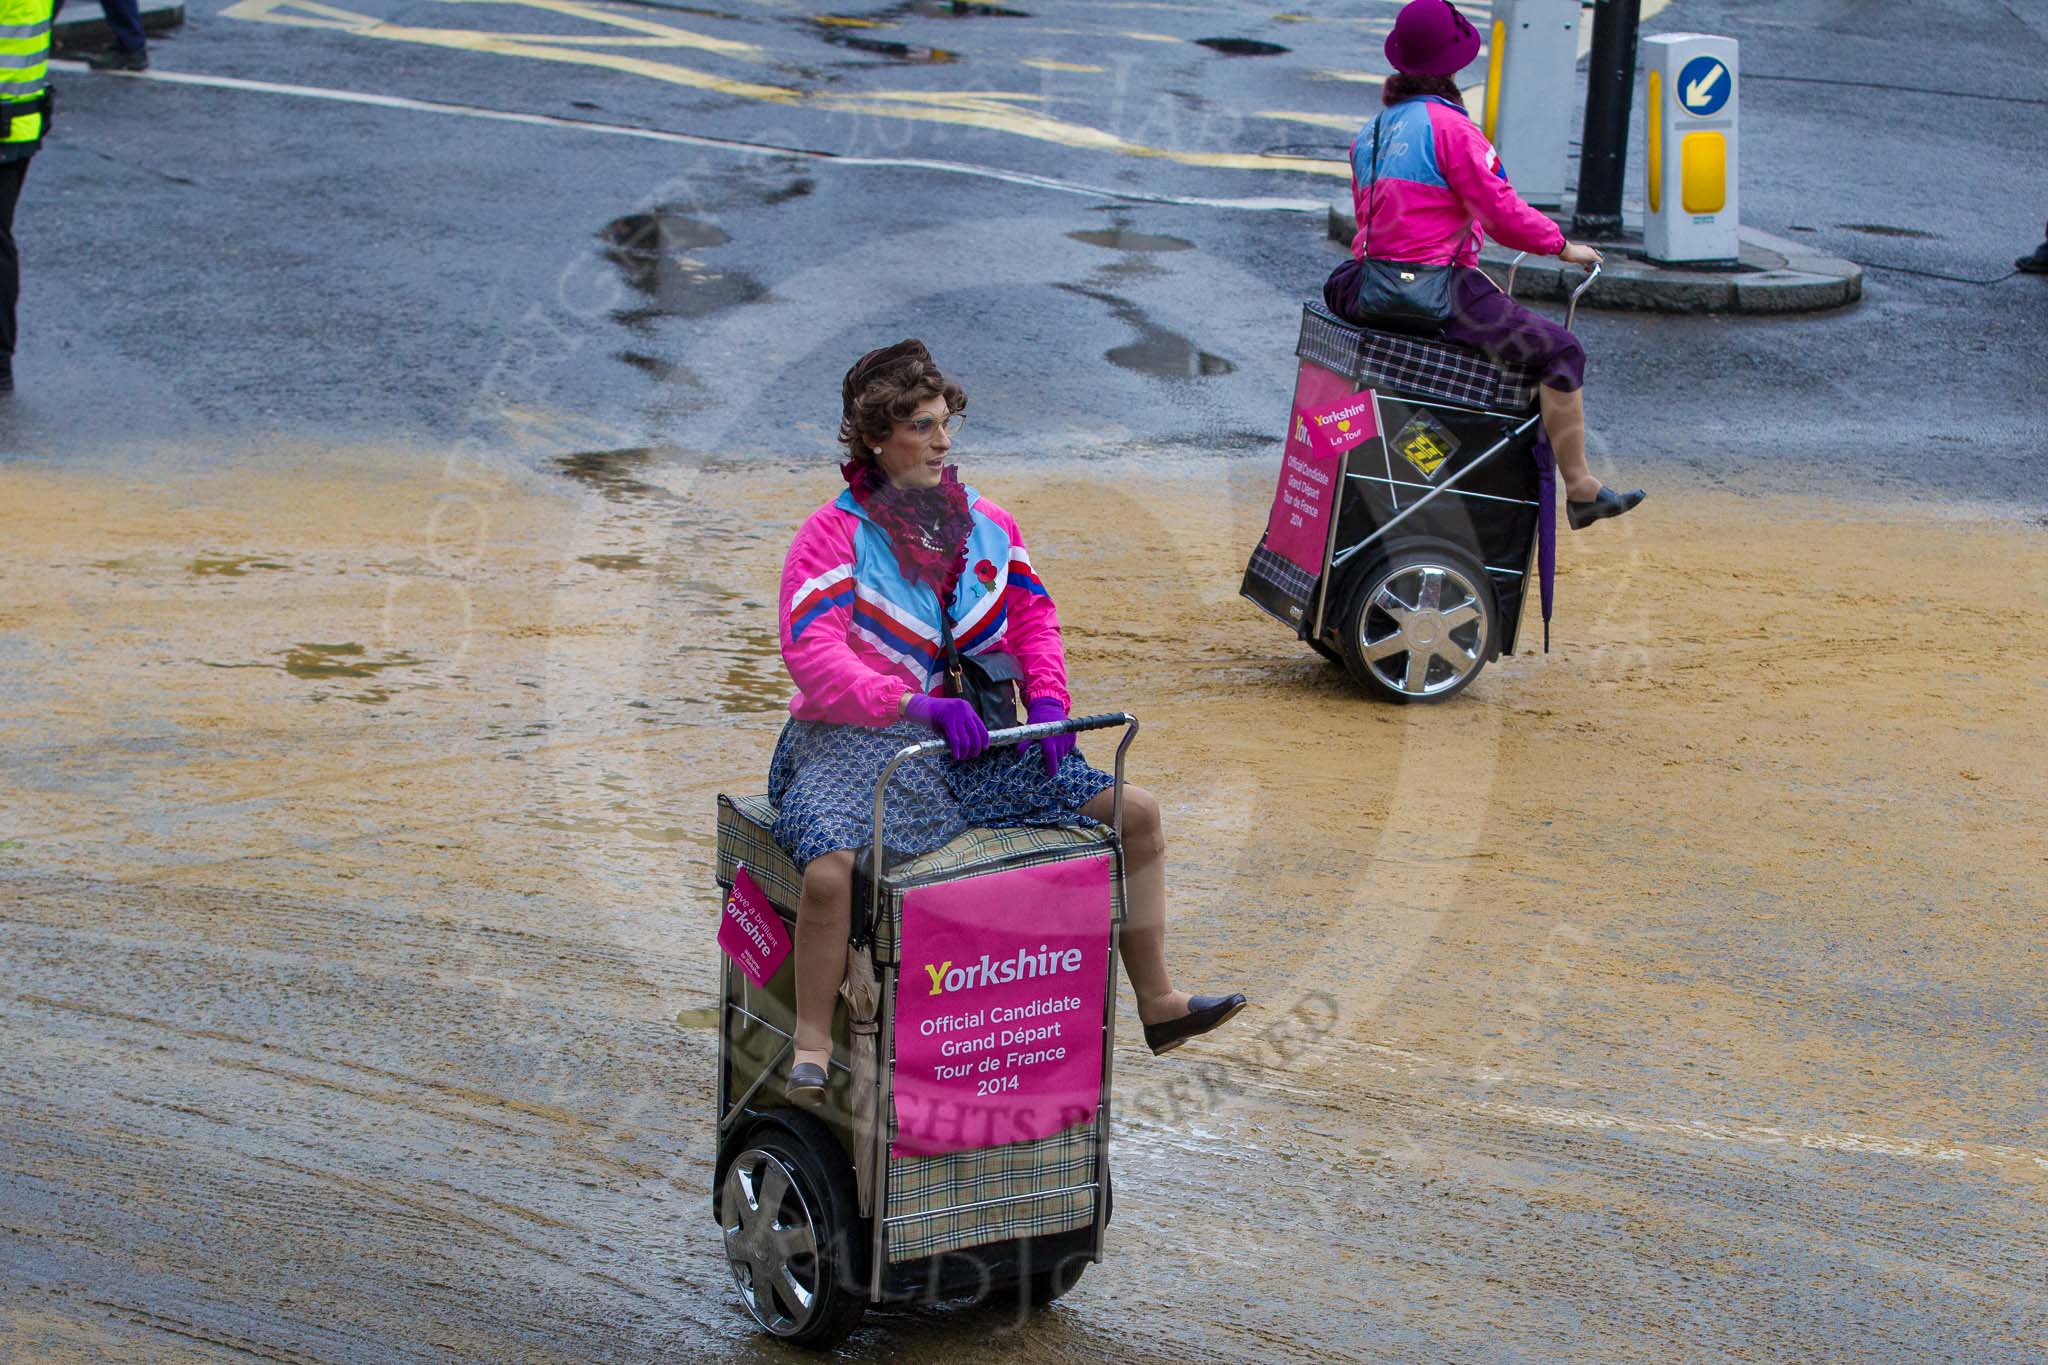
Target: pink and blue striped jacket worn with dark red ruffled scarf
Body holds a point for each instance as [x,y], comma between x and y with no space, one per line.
[857,635]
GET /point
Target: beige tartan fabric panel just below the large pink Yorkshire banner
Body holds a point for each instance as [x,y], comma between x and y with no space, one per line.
[935,1188]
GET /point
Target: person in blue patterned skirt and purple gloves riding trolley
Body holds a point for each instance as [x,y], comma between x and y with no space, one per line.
[863,590]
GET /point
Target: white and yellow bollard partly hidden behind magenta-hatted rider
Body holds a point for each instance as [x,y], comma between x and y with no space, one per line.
[1533,56]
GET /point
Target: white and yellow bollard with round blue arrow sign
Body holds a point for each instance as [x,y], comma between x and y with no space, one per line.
[1691,105]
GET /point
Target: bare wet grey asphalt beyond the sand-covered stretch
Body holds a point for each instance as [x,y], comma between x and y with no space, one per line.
[253,267]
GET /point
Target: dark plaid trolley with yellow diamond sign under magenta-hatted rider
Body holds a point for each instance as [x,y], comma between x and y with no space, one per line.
[1406,525]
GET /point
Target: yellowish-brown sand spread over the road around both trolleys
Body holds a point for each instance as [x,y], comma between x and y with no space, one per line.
[1750,858]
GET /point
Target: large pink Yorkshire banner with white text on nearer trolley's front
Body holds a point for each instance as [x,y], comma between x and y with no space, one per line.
[998,1020]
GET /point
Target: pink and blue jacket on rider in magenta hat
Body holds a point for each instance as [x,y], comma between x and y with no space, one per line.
[1439,187]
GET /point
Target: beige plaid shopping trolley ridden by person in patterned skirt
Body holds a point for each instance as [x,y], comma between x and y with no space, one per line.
[1011,1206]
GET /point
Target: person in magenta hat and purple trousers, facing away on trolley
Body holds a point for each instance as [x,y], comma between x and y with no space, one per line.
[1437,189]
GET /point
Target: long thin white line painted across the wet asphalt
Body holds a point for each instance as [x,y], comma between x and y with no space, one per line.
[714,144]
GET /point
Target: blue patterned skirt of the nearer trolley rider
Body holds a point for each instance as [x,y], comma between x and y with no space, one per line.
[822,785]
